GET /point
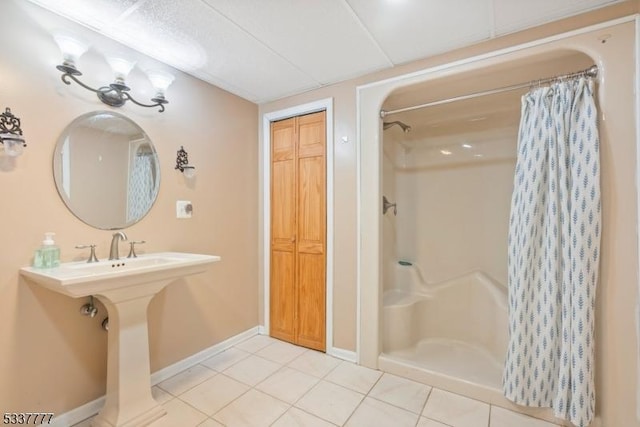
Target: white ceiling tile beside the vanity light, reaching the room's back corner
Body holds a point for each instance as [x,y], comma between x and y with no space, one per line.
[193,37]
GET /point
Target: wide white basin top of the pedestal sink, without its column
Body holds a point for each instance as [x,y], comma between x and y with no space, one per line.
[80,279]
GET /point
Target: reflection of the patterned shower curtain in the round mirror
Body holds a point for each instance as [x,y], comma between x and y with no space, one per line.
[141,187]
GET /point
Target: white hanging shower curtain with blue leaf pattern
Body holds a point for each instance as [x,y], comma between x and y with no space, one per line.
[554,242]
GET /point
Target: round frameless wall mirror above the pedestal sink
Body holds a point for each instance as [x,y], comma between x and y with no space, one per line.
[106,170]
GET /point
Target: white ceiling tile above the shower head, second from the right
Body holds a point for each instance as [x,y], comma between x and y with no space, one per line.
[413,29]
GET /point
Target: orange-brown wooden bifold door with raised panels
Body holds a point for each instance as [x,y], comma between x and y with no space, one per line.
[298,230]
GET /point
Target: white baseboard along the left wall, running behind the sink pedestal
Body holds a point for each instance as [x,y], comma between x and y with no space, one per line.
[89,409]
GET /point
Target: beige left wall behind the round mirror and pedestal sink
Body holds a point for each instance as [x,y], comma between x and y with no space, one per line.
[52,359]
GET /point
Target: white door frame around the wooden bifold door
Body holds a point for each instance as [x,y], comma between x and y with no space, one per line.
[311,107]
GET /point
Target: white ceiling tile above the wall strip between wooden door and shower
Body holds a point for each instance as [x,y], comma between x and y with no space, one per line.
[323,38]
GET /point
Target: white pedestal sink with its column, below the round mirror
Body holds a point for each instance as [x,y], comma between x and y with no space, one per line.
[125,287]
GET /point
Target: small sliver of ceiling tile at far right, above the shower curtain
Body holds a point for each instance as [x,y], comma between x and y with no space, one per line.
[515,15]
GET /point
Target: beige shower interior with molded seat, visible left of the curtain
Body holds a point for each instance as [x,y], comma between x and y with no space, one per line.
[444,300]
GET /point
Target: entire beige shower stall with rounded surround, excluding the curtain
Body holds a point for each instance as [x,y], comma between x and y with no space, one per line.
[435,307]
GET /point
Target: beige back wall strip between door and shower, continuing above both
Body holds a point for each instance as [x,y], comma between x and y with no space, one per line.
[345,161]
